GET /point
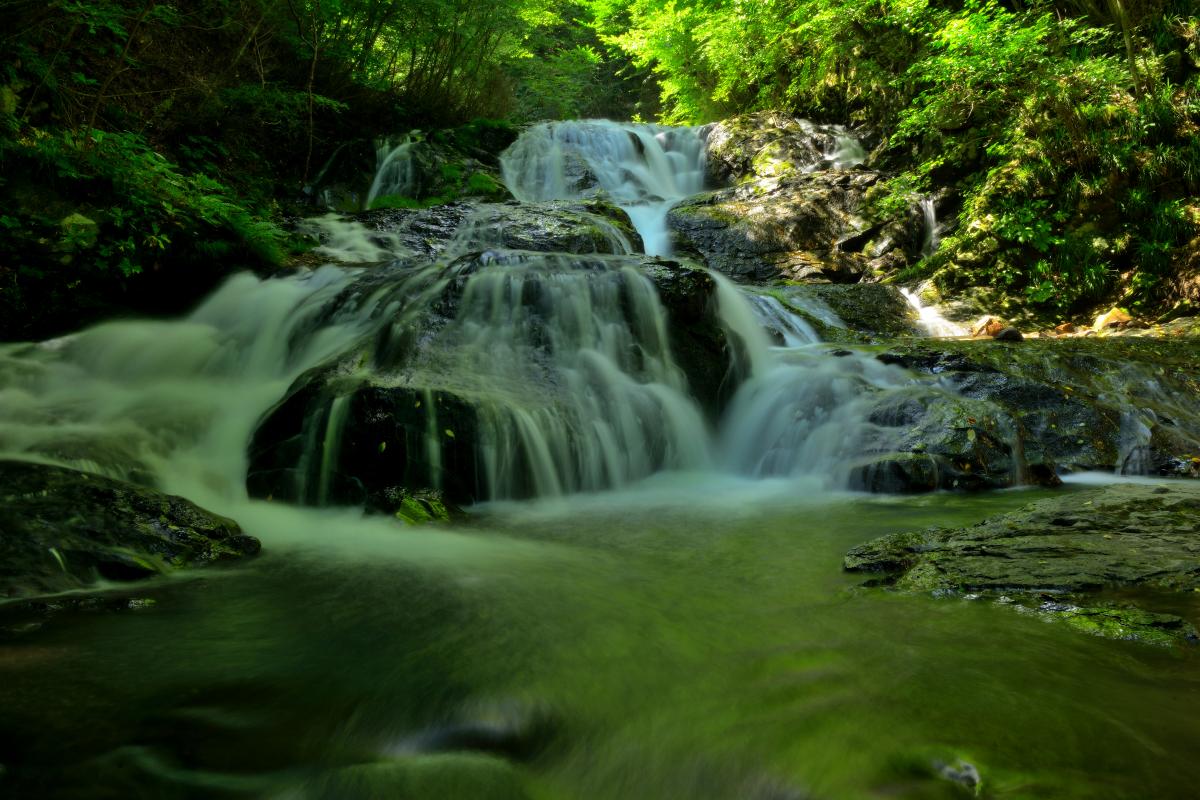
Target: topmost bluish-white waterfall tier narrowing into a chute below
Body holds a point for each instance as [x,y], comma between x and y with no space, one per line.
[646,170]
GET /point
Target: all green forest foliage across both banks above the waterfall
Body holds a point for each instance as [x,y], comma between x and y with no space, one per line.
[149,147]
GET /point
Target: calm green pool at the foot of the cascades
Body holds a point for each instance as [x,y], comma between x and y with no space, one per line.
[688,639]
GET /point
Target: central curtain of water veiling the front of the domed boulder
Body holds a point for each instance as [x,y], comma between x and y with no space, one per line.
[571,365]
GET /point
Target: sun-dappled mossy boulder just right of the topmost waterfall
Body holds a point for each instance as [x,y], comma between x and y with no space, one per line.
[794,204]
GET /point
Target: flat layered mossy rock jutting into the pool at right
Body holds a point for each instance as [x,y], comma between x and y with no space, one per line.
[1058,556]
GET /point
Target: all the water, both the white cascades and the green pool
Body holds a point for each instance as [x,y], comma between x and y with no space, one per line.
[667,617]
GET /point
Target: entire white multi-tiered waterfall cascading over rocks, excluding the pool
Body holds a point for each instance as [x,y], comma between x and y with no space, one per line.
[565,359]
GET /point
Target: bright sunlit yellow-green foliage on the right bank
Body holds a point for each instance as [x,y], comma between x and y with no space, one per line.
[1071,129]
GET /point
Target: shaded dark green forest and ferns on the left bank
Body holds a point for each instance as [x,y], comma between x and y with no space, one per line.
[151,147]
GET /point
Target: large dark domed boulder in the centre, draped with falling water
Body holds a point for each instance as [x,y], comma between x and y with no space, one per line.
[483,382]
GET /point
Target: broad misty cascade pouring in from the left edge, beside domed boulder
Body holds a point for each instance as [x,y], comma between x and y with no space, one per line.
[173,402]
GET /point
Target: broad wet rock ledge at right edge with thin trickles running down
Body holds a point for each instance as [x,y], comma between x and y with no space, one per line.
[1081,405]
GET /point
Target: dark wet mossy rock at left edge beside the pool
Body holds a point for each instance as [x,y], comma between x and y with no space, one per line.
[63,530]
